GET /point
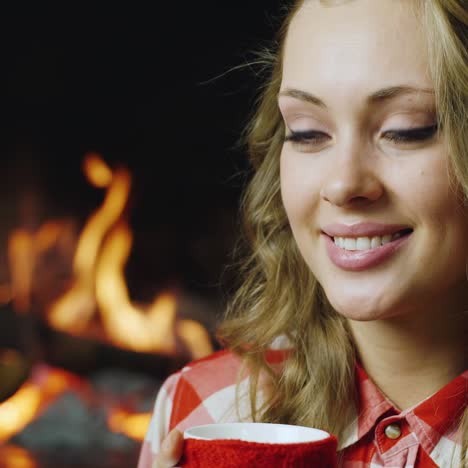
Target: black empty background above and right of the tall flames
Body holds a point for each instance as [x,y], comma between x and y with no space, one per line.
[135,82]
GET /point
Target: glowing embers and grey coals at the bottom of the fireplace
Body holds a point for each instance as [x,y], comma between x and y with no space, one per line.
[99,420]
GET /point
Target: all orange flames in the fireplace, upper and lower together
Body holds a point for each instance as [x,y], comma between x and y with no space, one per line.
[97,290]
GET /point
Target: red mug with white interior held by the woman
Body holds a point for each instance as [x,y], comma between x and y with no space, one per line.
[247,445]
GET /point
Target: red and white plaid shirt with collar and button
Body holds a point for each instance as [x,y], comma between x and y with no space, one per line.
[424,436]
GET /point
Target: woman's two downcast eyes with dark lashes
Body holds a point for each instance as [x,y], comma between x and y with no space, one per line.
[401,136]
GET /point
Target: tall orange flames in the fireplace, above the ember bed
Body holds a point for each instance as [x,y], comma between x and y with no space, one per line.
[98,285]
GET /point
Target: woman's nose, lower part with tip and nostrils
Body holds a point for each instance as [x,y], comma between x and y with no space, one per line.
[352,182]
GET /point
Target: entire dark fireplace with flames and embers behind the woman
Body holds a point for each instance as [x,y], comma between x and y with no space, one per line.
[121,174]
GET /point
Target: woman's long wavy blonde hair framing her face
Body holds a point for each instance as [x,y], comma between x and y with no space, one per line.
[279,296]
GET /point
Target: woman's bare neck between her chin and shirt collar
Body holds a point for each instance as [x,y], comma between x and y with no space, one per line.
[410,358]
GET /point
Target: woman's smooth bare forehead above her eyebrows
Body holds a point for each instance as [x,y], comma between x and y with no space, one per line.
[357,43]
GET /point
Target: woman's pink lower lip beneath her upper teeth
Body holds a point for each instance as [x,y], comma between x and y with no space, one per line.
[358,260]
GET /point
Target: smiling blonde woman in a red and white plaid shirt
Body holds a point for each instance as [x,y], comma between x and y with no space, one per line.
[358,227]
